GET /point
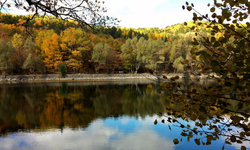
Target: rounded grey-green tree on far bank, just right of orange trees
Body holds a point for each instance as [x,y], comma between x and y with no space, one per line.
[100,54]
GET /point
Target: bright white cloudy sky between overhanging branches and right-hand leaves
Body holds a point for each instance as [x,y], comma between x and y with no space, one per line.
[153,13]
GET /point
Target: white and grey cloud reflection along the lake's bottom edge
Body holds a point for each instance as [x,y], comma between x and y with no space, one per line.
[96,137]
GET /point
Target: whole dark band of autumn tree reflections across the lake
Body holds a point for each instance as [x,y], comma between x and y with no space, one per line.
[41,107]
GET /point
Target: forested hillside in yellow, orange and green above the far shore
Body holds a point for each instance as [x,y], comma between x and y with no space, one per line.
[40,45]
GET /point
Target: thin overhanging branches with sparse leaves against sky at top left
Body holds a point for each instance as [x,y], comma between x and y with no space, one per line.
[85,12]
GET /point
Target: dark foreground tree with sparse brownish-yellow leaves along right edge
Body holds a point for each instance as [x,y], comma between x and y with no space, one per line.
[227,63]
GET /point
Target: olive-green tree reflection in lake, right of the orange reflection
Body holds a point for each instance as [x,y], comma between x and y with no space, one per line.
[117,100]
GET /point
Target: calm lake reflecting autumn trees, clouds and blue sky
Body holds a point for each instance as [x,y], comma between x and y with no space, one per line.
[112,115]
